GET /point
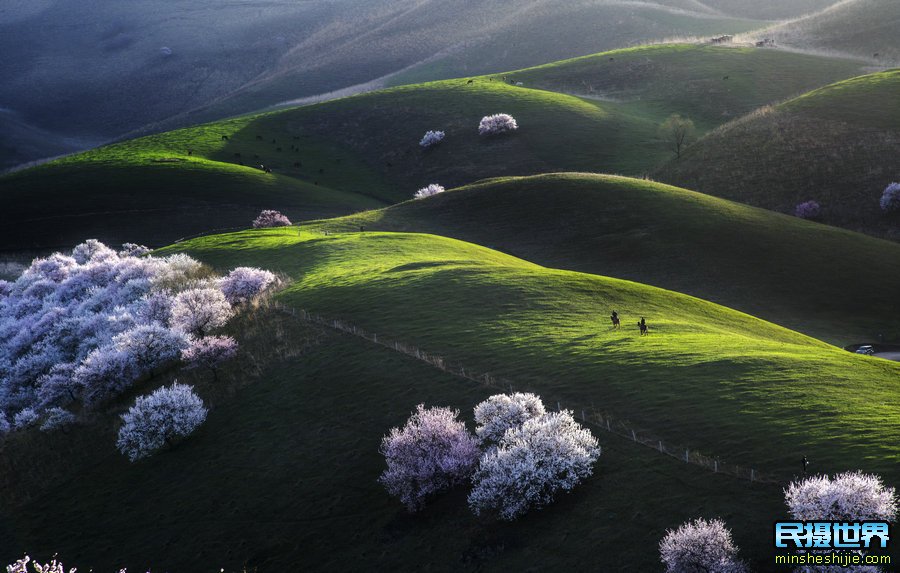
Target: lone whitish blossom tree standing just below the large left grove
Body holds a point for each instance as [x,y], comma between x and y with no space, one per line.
[157,420]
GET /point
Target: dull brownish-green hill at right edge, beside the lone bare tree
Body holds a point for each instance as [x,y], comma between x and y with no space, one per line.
[837,145]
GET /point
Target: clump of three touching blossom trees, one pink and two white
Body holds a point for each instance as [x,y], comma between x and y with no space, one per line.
[531,455]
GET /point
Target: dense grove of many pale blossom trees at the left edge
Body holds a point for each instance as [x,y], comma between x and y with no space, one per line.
[84,327]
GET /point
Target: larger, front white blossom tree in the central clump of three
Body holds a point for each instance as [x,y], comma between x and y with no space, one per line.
[532,463]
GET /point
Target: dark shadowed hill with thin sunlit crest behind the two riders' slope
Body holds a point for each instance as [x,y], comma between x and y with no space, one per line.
[778,268]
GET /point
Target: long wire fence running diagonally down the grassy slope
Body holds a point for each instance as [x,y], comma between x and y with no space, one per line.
[588,415]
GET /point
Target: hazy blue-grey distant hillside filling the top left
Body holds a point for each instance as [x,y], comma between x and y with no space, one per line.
[183,64]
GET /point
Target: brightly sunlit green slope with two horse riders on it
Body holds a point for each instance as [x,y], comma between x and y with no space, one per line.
[708,377]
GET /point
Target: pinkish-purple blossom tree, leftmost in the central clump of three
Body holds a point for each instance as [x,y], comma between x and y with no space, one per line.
[431,453]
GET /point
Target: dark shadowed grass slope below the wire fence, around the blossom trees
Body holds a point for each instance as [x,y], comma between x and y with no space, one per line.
[282,477]
